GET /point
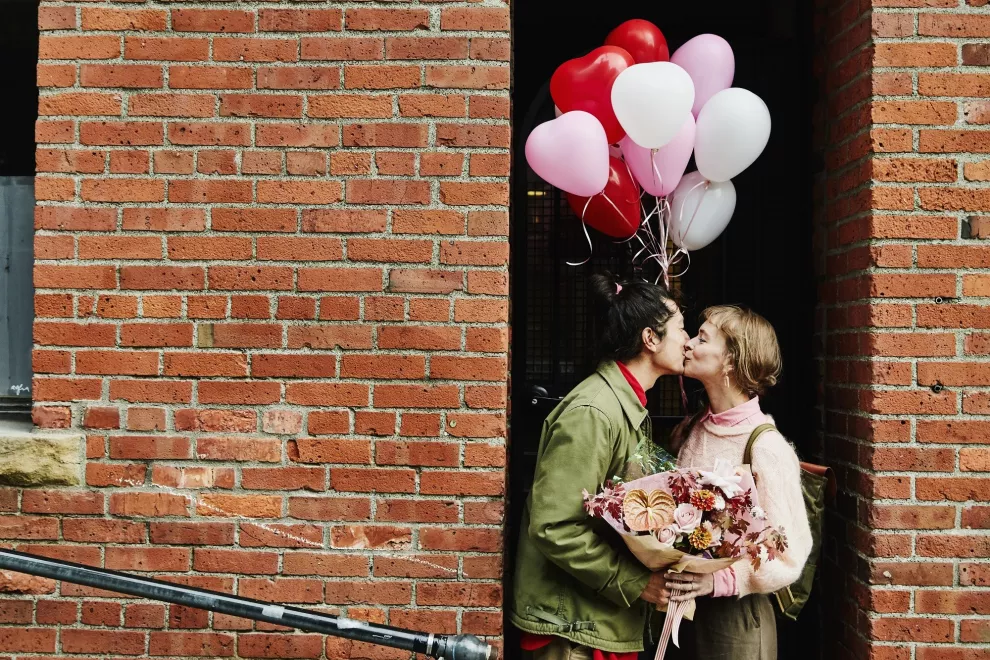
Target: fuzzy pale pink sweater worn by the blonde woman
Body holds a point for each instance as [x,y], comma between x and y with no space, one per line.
[778,487]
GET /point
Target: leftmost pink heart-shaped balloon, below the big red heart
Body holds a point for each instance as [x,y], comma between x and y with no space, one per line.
[571,153]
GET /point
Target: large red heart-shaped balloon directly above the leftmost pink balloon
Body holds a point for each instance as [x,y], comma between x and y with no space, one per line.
[585,83]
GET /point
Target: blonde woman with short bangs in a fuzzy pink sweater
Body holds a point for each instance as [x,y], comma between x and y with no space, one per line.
[736,357]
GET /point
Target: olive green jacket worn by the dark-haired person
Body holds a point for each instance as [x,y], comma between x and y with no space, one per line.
[574,576]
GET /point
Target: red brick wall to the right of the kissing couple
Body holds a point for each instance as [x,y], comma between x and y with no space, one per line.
[903,315]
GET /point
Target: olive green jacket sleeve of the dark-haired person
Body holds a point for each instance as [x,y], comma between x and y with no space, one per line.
[576,457]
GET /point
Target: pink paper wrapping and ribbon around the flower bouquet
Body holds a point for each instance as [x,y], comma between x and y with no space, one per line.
[658,556]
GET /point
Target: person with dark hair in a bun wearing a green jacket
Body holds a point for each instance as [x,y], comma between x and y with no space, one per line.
[579,593]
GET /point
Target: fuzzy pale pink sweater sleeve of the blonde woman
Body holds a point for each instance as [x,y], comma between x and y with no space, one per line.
[778,486]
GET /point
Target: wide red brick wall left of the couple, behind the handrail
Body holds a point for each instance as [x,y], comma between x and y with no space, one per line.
[272,289]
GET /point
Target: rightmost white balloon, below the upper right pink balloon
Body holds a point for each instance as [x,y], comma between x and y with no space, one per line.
[733,129]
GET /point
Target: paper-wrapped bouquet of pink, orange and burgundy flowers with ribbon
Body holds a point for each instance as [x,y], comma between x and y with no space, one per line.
[689,520]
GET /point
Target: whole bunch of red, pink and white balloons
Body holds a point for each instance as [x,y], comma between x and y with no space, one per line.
[629,116]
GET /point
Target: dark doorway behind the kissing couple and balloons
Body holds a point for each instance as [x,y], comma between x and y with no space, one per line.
[763,260]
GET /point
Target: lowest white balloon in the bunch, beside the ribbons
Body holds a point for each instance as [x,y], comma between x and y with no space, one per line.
[700,212]
